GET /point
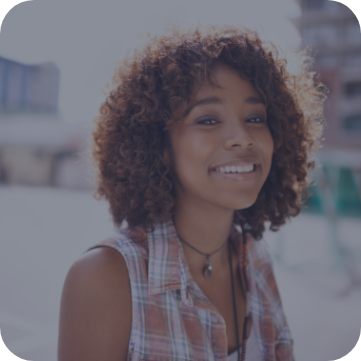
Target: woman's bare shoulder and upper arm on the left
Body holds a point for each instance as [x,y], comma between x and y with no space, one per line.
[96,308]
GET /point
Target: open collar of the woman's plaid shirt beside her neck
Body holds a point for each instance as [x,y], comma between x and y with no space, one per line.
[168,268]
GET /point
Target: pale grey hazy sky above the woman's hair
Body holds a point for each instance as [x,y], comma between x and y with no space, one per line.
[86,38]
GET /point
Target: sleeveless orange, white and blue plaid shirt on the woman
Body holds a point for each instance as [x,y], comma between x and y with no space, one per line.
[173,319]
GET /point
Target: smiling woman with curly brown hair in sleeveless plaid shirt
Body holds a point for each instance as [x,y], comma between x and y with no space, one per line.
[205,137]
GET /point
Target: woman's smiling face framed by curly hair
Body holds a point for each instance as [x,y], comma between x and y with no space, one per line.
[224,130]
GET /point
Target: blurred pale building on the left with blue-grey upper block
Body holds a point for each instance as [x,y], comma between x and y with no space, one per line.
[37,147]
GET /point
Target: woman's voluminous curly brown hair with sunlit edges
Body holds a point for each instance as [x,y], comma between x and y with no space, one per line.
[132,128]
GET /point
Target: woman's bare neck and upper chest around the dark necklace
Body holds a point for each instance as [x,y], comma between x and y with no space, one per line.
[206,232]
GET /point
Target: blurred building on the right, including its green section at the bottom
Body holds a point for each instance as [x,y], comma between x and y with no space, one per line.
[332,31]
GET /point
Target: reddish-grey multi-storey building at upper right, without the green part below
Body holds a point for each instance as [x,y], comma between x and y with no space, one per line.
[332,30]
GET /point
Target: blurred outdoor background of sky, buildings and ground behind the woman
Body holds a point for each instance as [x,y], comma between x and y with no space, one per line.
[56,64]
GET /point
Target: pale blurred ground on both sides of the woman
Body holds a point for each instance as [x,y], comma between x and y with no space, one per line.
[43,231]
